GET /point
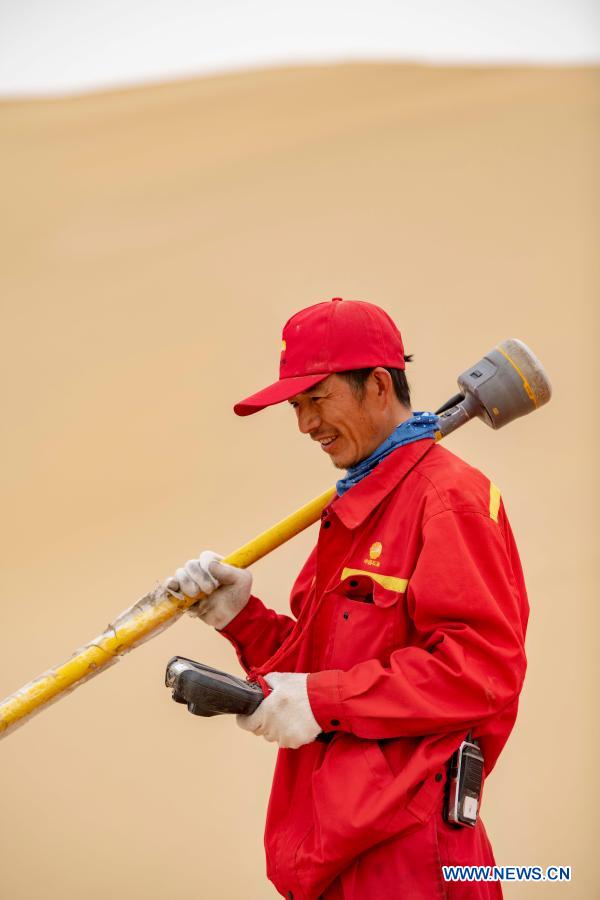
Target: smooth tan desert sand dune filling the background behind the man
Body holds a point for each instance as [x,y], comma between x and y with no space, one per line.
[154,241]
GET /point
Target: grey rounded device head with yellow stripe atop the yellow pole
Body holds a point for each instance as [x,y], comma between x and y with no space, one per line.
[508,382]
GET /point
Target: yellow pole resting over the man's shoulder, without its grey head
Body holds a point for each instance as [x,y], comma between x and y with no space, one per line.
[146,618]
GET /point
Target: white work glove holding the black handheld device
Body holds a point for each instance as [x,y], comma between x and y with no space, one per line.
[285,716]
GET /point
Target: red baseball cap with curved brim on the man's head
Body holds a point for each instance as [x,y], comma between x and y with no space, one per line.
[334,336]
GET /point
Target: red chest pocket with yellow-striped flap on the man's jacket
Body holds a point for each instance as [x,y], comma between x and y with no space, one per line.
[364,620]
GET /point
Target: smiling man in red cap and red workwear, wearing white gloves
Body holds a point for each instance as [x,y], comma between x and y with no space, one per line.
[407,632]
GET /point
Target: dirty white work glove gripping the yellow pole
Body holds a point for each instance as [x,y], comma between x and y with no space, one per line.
[227,588]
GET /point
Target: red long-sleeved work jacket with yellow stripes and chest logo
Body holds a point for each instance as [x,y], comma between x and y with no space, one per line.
[410,615]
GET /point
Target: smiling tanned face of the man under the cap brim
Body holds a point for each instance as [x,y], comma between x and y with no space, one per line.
[347,427]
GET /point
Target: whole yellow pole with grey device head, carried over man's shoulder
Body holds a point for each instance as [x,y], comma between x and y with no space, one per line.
[508,382]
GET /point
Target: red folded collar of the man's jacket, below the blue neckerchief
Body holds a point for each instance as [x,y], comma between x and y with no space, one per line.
[358,502]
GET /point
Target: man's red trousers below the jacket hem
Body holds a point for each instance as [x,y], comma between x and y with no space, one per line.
[409,867]
